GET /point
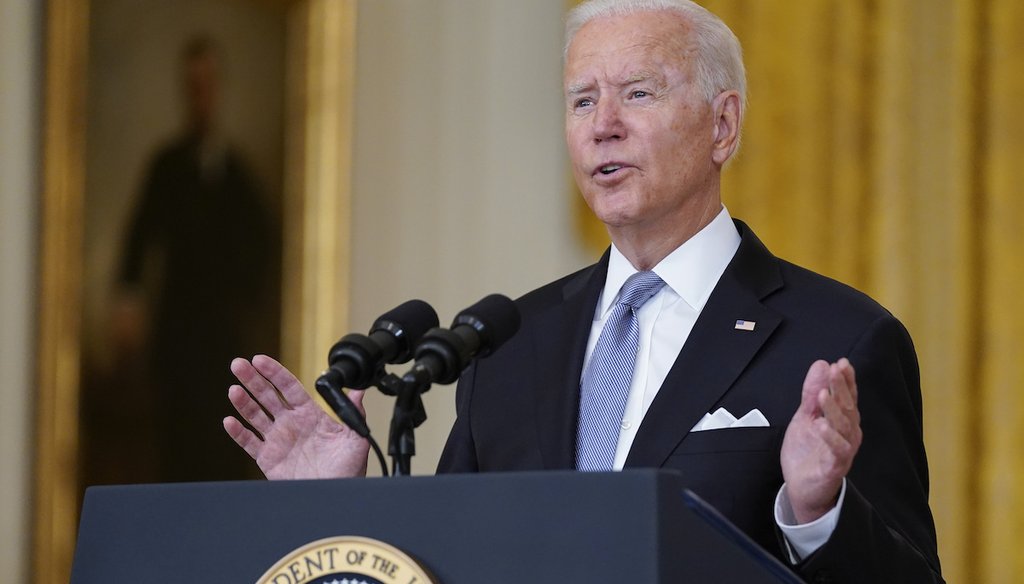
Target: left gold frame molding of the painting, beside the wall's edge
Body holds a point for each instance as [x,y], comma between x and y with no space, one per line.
[56,470]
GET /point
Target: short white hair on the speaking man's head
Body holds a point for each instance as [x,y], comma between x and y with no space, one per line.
[719,58]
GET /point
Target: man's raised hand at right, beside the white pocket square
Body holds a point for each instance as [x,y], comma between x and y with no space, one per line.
[822,440]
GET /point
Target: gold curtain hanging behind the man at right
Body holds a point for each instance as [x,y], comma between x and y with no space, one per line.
[882,147]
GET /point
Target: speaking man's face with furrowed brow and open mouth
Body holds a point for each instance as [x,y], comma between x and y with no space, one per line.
[639,134]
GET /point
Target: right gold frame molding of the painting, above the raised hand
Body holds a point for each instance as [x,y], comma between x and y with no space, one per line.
[319,174]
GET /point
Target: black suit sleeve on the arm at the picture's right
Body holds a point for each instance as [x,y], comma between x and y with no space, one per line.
[885,531]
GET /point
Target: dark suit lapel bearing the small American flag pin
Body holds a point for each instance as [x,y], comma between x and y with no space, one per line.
[715,354]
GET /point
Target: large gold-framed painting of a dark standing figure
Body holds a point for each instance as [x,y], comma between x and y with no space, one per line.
[195,208]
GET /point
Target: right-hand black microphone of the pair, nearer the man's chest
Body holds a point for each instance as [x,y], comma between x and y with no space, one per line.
[443,354]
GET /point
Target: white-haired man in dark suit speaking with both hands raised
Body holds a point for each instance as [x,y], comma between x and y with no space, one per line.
[789,401]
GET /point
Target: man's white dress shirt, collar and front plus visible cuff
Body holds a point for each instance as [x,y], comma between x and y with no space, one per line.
[691,274]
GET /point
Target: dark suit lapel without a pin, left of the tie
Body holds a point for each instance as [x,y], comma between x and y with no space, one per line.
[562,345]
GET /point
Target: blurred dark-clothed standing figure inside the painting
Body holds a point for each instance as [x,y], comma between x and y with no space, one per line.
[199,281]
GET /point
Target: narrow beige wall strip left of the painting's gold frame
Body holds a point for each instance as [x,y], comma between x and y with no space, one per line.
[19,115]
